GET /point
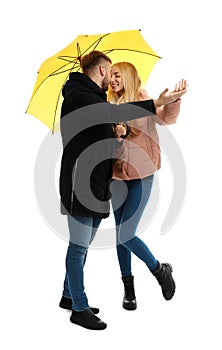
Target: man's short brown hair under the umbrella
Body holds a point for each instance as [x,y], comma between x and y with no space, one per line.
[89,61]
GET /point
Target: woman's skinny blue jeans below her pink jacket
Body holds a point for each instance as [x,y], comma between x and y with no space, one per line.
[127,218]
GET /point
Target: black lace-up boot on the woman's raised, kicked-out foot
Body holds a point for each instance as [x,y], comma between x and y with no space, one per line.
[163,274]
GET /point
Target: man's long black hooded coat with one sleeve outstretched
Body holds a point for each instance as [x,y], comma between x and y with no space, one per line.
[89,145]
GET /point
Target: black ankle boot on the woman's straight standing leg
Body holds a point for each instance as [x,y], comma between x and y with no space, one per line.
[129,299]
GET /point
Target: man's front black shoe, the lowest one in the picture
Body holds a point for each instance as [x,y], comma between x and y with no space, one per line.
[87,319]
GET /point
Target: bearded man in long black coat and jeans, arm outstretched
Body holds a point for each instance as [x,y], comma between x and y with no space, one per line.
[86,168]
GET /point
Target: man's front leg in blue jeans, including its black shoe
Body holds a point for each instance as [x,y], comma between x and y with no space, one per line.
[82,231]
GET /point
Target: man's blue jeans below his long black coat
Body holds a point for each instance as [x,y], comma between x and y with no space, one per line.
[82,231]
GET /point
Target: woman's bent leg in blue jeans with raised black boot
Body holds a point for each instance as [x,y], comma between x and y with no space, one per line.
[137,198]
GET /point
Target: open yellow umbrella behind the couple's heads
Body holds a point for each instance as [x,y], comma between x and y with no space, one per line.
[46,99]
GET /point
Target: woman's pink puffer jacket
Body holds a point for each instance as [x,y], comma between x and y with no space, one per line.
[139,156]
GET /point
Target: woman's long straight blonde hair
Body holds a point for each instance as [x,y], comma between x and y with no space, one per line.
[131,90]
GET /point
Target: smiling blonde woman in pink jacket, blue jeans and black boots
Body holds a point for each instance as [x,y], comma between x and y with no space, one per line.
[137,159]
